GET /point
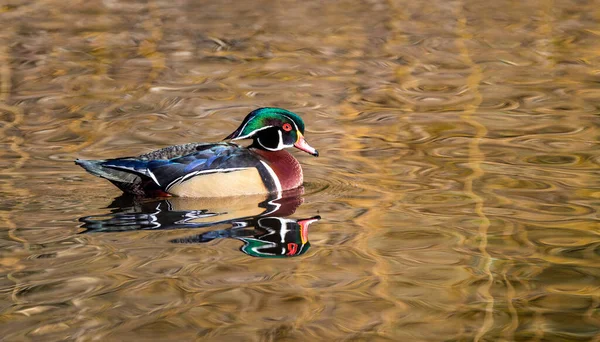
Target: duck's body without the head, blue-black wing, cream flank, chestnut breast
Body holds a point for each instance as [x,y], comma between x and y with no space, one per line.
[201,170]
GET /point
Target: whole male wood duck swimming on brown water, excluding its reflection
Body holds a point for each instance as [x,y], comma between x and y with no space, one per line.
[218,169]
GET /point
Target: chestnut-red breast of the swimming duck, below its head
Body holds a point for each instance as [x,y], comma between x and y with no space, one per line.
[285,166]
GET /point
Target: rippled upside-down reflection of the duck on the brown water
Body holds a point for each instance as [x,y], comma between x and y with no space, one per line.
[261,225]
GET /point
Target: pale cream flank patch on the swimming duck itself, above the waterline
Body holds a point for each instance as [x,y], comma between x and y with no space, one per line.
[235,183]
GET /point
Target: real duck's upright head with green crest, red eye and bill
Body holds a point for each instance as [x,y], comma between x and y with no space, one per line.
[273,129]
